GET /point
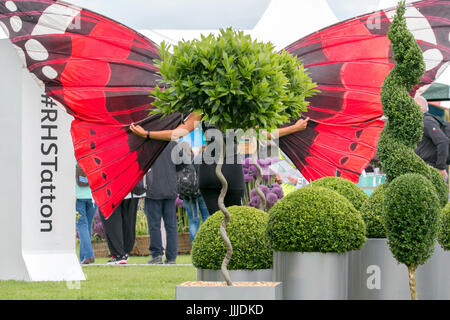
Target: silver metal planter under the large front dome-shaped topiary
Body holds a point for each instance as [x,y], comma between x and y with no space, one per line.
[311,275]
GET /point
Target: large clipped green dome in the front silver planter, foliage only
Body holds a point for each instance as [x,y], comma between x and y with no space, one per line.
[315,220]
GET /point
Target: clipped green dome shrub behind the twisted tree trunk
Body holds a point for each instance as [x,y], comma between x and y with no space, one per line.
[247,233]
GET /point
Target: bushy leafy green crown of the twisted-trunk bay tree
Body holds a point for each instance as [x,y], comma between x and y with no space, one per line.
[234,81]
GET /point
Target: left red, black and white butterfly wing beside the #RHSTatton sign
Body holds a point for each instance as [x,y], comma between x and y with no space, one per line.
[101,72]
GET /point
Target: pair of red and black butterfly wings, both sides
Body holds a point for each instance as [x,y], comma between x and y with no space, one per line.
[101,72]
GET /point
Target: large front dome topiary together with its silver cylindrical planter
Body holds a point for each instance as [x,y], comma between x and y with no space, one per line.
[311,232]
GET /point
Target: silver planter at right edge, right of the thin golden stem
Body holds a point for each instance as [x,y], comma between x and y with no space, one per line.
[433,278]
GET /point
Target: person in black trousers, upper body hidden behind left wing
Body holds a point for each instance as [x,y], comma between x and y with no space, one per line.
[120,227]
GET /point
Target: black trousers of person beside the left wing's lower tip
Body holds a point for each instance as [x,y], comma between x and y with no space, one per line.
[120,228]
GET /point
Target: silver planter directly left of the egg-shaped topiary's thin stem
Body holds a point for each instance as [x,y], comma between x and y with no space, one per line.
[374,274]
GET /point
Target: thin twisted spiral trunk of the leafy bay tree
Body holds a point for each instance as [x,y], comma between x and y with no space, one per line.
[223,226]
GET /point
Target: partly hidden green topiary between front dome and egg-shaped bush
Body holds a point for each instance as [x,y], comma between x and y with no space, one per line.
[372,213]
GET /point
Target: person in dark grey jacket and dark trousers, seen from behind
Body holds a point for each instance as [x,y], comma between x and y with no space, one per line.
[160,203]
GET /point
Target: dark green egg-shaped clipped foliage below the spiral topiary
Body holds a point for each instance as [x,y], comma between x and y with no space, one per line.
[411,214]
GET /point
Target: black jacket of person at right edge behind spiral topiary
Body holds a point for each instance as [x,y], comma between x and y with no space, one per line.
[434,146]
